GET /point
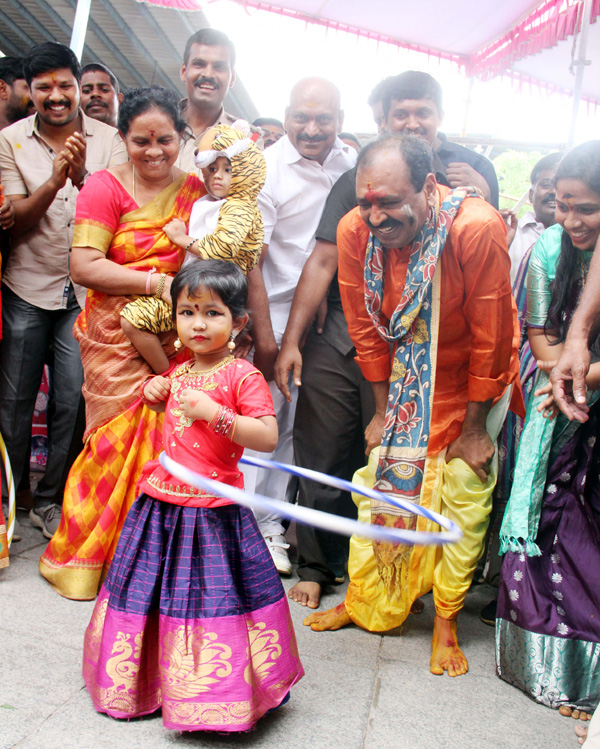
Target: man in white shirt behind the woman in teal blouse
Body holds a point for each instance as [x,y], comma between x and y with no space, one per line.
[542,197]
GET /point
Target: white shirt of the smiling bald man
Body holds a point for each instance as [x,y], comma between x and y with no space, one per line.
[291,203]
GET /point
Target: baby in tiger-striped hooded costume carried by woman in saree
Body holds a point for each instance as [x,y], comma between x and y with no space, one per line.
[225,224]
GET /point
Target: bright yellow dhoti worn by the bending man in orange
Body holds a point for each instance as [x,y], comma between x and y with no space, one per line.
[451,489]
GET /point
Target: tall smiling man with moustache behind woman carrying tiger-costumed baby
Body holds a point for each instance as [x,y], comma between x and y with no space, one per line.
[208,71]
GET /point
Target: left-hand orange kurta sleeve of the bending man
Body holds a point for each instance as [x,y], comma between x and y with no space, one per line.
[372,352]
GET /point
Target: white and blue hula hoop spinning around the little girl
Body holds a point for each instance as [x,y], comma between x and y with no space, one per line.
[323,520]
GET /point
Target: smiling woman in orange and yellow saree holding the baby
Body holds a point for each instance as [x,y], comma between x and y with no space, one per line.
[119,251]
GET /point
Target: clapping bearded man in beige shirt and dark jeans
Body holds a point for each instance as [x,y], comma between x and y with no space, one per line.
[44,162]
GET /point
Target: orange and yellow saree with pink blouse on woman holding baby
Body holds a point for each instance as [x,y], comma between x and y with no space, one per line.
[122,435]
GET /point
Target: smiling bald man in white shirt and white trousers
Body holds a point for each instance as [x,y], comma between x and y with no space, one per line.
[302,167]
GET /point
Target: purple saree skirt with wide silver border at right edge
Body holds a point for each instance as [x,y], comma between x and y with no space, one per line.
[548,625]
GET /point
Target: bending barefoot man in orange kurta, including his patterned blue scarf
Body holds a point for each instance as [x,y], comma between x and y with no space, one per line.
[425,285]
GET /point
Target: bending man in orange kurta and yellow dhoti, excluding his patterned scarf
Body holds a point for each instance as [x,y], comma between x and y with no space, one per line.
[475,355]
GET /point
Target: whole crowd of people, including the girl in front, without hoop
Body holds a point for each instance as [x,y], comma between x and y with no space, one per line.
[201,285]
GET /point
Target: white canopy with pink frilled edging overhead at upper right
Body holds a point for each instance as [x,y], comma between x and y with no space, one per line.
[554,44]
